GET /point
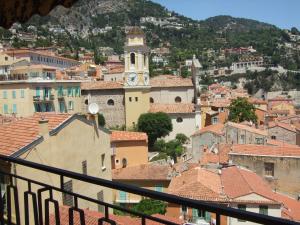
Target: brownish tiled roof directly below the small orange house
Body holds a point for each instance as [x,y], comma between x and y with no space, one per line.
[142,172]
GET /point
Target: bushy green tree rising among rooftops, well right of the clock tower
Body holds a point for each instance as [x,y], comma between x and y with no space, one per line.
[241,110]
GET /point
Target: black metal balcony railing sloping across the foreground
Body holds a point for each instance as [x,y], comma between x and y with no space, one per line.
[40,207]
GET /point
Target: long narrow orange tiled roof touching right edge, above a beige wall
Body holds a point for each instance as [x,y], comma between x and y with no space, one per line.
[265,150]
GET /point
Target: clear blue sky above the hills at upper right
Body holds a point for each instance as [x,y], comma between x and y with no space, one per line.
[282,13]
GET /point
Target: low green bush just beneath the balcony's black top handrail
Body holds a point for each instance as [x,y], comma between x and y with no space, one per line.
[150,207]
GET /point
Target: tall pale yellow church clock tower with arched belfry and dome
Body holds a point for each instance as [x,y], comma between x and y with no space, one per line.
[136,77]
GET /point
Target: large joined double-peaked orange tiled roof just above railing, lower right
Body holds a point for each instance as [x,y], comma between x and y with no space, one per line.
[228,185]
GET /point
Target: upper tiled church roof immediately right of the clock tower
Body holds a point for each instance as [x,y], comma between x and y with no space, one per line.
[170,81]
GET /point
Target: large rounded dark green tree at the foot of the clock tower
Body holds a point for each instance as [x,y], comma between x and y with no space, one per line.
[156,125]
